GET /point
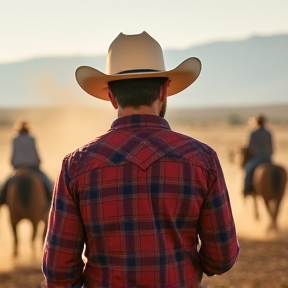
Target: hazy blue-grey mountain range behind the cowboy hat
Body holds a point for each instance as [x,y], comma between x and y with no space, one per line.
[248,72]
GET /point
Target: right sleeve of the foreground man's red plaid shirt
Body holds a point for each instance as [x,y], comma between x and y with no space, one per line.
[219,244]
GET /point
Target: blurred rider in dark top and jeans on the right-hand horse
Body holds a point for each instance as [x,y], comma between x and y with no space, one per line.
[260,147]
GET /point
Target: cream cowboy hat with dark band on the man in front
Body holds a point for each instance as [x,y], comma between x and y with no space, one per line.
[136,56]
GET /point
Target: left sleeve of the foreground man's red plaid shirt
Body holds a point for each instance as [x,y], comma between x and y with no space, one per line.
[62,257]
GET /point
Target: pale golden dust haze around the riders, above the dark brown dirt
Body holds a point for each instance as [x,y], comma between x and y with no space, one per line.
[59,131]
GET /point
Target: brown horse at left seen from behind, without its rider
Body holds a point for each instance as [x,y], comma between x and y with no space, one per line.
[26,199]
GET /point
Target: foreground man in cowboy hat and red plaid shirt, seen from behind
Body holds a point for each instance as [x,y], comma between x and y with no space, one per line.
[139,196]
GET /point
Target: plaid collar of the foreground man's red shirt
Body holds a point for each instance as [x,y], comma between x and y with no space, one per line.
[140,120]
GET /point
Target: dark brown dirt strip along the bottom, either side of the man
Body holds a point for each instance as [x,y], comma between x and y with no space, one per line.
[261,264]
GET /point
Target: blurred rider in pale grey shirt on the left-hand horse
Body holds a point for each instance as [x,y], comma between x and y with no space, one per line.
[25,155]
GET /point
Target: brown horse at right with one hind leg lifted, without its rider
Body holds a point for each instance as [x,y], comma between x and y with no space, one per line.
[269,181]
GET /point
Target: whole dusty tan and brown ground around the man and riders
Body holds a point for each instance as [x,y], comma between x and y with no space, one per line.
[263,259]
